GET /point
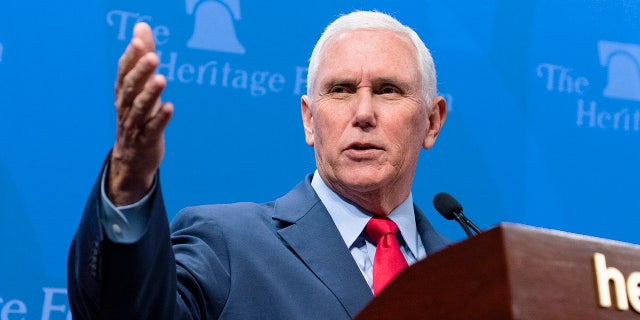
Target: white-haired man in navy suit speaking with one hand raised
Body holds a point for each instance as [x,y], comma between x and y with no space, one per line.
[371,106]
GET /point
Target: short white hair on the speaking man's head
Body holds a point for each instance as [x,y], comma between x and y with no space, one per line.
[373,20]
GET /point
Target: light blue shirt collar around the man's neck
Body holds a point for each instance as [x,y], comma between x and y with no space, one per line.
[351,220]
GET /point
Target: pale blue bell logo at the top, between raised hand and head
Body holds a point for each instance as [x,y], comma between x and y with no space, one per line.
[214,25]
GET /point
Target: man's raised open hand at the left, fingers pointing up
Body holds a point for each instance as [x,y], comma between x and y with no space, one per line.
[141,120]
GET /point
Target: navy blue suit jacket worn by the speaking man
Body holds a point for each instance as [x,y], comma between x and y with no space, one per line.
[279,260]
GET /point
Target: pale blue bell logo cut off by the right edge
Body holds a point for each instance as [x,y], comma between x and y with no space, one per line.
[623,61]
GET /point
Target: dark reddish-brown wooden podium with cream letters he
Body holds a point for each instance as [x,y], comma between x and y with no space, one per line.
[516,272]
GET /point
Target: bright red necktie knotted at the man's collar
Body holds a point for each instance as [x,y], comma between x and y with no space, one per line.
[389,260]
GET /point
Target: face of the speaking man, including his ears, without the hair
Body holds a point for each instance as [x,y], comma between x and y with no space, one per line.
[367,118]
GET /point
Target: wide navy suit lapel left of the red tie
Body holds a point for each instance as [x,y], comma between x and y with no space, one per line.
[316,240]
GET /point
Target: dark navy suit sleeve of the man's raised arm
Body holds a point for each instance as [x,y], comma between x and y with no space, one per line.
[109,280]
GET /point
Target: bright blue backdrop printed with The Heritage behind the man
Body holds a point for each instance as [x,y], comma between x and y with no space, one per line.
[543,129]
